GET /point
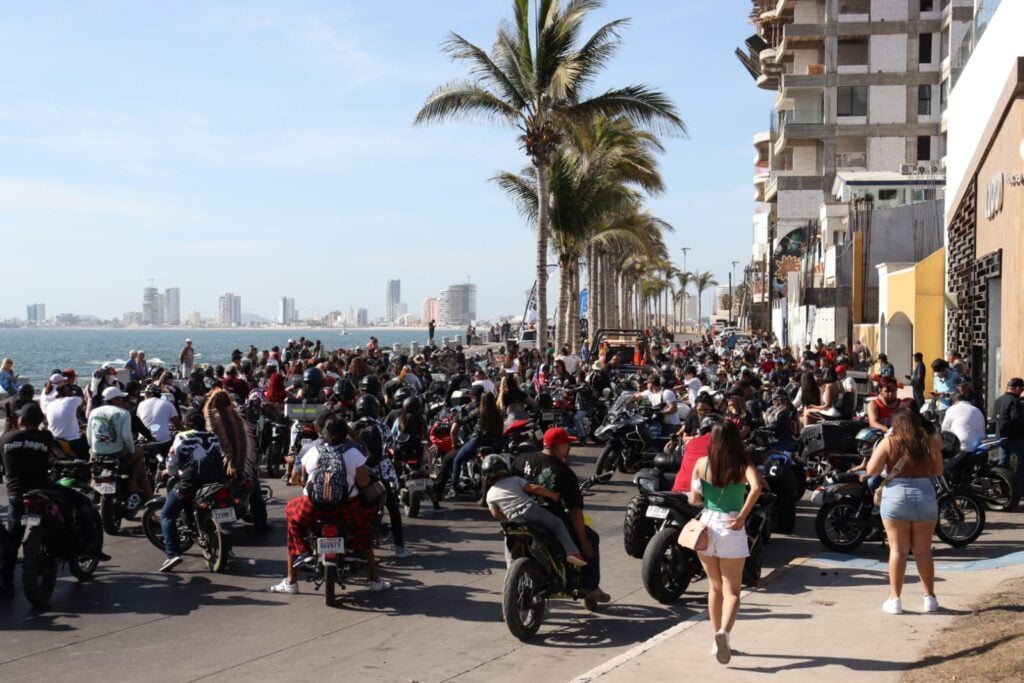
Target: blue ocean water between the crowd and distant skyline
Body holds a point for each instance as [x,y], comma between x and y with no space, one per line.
[37,352]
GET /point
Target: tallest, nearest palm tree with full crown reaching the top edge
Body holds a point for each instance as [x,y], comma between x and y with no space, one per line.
[535,79]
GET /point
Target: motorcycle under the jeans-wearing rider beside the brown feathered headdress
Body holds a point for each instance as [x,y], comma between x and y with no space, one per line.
[205,525]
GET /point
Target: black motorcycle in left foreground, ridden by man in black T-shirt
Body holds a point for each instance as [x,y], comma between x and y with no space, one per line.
[54,537]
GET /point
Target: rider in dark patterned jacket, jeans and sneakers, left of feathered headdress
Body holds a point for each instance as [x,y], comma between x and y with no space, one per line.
[195,458]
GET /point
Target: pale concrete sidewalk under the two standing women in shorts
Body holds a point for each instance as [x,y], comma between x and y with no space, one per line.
[809,622]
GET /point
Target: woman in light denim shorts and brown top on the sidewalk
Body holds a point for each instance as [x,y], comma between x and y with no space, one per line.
[910,509]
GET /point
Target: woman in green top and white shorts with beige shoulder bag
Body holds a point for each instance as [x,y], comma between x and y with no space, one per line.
[720,481]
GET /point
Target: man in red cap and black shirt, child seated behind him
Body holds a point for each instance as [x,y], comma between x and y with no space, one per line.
[550,469]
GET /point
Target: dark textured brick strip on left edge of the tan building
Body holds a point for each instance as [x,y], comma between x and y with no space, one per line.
[960,271]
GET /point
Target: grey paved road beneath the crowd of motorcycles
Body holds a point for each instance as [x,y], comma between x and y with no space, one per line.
[442,622]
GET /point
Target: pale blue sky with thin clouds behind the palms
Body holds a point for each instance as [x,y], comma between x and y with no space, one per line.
[268,149]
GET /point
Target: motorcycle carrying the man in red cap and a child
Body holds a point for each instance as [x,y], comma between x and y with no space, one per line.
[538,573]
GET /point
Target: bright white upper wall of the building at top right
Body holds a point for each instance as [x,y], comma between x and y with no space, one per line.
[974,96]
